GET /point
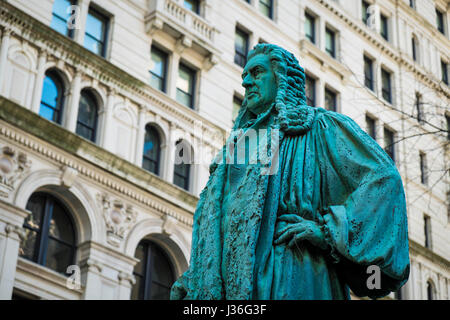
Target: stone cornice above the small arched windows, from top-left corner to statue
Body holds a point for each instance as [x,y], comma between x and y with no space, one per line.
[43,37]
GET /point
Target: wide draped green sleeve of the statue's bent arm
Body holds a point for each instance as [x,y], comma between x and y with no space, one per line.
[363,205]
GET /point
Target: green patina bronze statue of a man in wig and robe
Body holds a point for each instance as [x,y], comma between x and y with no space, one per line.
[331,208]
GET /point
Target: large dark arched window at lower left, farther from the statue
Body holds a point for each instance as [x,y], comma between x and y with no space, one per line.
[49,233]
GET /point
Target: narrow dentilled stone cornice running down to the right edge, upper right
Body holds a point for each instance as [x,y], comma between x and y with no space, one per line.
[385,47]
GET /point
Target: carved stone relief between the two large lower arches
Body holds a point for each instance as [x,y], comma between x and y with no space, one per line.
[119,218]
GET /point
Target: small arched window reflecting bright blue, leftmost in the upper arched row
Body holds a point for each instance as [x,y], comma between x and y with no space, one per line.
[52,100]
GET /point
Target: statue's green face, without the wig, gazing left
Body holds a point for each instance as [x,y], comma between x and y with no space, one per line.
[260,84]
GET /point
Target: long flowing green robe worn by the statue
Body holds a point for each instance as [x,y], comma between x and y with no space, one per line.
[334,174]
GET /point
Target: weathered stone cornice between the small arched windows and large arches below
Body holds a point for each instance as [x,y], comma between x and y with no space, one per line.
[169,196]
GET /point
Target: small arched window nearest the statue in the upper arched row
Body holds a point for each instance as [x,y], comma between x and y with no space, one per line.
[183,160]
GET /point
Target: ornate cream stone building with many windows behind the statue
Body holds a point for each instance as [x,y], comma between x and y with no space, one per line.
[99,99]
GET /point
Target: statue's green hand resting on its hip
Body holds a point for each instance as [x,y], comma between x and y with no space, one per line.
[292,228]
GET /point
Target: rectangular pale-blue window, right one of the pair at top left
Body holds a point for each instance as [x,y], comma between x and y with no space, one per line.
[96,32]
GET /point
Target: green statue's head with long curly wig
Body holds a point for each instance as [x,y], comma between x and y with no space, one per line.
[272,75]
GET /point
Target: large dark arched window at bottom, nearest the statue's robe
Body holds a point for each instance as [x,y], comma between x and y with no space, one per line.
[153,273]
